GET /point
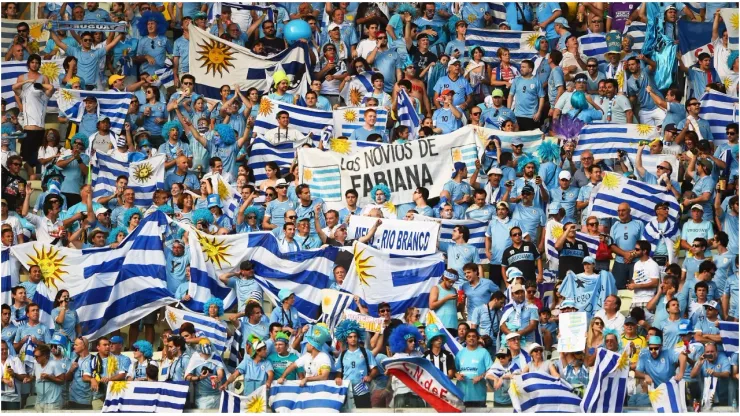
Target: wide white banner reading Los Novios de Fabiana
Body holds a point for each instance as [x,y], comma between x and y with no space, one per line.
[425,163]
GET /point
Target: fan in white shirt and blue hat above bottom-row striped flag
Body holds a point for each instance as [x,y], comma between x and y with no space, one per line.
[315,362]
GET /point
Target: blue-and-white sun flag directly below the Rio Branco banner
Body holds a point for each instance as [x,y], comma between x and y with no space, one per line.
[403,282]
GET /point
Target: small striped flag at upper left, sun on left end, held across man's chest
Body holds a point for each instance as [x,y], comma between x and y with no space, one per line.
[113,104]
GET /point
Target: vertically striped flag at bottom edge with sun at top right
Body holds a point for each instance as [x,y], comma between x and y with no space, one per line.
[607,385]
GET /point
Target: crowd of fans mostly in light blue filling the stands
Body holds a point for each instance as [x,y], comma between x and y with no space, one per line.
[669,330]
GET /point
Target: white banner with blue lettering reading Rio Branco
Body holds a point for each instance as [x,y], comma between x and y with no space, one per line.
[408,238]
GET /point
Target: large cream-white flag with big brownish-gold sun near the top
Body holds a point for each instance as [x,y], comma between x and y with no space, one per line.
[215,62]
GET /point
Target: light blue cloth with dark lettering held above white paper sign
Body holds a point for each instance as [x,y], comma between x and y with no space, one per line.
[588,292]
